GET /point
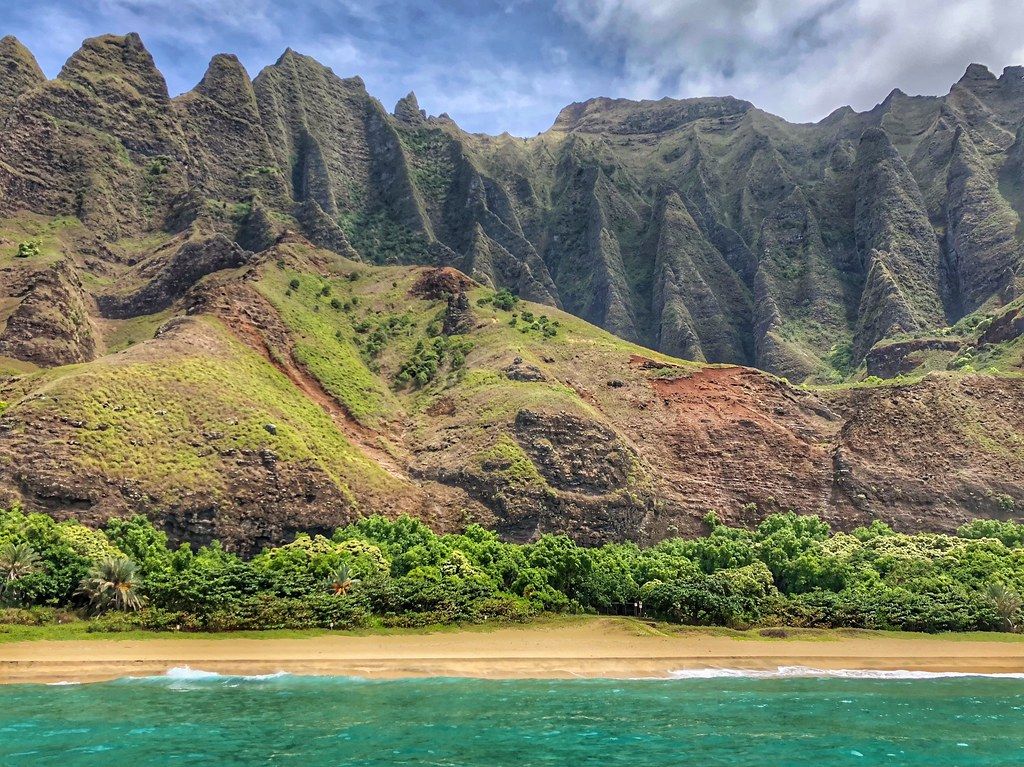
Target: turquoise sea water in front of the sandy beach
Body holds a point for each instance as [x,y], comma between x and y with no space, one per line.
[315,722]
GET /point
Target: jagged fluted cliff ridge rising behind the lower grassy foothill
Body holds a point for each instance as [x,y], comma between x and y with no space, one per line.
[703,228]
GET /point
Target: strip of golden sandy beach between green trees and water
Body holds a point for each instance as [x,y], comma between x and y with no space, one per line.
[593,648]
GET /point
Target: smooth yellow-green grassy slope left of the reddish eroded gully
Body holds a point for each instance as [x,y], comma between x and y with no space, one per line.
[172,420]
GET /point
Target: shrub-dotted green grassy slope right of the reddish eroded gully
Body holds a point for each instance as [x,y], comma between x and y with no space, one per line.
[481,402]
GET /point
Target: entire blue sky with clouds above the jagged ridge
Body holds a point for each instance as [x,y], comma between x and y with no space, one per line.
[513,65]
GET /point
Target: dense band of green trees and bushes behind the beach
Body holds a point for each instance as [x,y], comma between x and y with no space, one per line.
[790,571]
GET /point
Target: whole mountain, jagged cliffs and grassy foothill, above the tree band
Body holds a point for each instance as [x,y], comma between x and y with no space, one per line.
[270,306]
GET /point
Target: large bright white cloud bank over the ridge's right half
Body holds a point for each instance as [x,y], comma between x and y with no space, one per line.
[800,59]
